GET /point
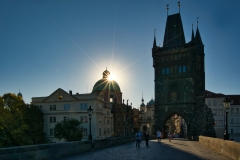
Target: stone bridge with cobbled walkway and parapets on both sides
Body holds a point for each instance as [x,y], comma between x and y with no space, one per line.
[124,148]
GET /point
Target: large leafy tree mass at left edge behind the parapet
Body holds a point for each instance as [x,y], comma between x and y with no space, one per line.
[20,124]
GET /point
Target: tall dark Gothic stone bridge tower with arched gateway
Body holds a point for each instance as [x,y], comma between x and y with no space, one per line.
[180,80]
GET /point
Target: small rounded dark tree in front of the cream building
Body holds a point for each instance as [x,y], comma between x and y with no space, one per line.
[70,130]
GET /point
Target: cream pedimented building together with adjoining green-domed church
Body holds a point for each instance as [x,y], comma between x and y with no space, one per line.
[106,102]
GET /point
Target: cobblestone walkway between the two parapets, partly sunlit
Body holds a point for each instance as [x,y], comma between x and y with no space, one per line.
[176,149]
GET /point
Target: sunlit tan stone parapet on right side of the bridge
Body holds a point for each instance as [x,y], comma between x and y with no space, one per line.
[228,148]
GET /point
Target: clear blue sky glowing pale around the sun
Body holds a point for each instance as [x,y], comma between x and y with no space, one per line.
[46,45]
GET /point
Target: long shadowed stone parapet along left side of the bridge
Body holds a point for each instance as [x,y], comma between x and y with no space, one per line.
[57,150]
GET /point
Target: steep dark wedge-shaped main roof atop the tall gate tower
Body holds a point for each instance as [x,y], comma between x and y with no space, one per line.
[174,34]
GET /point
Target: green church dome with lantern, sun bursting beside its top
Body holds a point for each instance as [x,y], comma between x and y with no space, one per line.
[106,85]
